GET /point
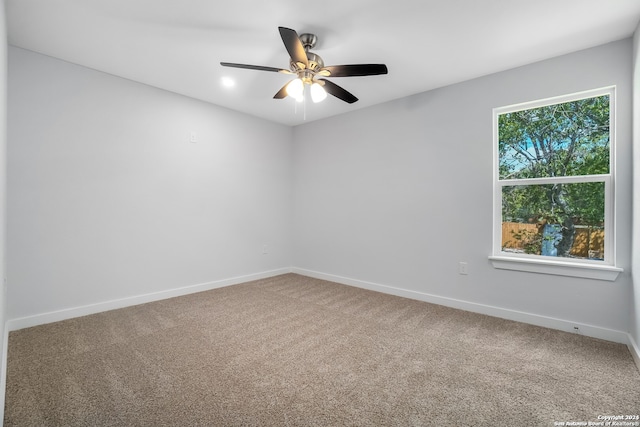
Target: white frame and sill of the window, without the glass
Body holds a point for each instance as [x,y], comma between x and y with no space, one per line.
[592,269]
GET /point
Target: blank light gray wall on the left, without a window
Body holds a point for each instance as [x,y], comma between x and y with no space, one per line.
[108,199]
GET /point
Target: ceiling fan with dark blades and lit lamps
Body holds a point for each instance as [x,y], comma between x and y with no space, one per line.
[309,69]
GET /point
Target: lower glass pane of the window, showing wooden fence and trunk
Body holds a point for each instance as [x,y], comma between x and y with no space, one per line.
[561,220]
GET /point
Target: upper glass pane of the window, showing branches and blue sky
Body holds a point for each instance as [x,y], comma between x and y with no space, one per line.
[566,139]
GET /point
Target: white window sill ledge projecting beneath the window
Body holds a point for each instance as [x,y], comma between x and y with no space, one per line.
[559,268]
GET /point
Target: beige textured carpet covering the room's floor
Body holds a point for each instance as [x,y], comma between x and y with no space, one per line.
[292,350]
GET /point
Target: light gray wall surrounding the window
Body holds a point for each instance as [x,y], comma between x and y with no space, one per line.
[393,197]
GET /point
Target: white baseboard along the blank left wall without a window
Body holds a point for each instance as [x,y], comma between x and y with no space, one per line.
[55,316]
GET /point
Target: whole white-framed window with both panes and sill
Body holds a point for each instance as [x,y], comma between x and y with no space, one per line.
[553,185]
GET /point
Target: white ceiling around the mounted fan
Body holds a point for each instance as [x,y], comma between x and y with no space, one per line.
[178,45]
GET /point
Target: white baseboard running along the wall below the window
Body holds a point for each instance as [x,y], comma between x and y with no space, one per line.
[504,313]
